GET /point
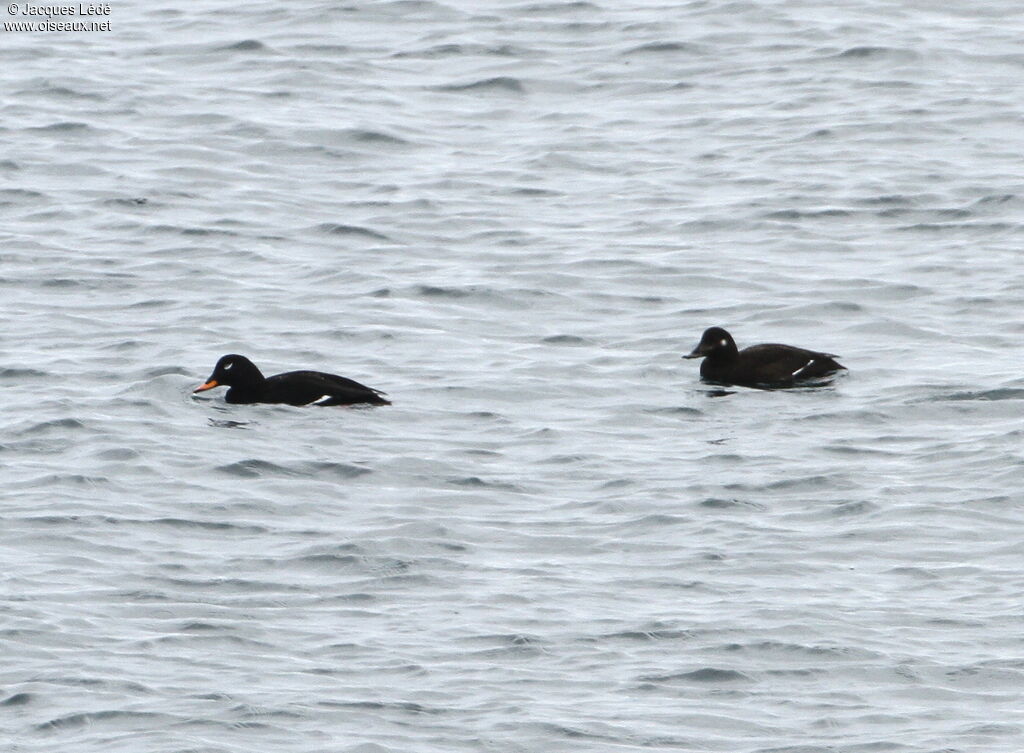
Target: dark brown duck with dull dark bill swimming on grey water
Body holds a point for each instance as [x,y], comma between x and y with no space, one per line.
[770,365]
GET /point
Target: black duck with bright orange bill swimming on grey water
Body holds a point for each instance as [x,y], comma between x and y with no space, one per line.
[247,385]
